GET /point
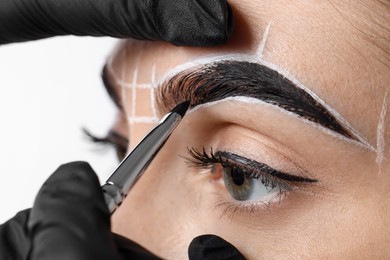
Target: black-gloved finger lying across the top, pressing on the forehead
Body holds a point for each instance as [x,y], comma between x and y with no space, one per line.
[181,22]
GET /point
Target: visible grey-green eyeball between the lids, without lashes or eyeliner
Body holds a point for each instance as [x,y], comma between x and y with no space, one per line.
[242,187]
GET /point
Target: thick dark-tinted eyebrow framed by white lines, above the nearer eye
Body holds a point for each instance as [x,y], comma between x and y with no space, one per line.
[227,78]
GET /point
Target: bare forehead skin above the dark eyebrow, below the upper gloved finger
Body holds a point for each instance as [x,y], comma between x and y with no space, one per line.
[317,42]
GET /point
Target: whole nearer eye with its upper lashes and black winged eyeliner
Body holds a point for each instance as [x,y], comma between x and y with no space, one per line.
[245,179]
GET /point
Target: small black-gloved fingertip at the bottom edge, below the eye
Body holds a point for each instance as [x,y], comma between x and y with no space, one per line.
[212,247]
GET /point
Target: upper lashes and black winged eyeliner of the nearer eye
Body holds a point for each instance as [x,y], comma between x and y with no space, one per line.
[250,168]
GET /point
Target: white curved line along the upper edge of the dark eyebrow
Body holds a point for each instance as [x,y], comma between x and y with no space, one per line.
[210,59]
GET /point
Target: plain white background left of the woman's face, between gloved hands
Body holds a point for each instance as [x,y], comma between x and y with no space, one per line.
[49,90]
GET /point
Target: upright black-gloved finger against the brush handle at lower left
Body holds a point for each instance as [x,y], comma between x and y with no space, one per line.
[69,219]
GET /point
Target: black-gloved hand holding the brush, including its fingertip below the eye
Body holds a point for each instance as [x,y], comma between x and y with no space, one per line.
[69,220]
